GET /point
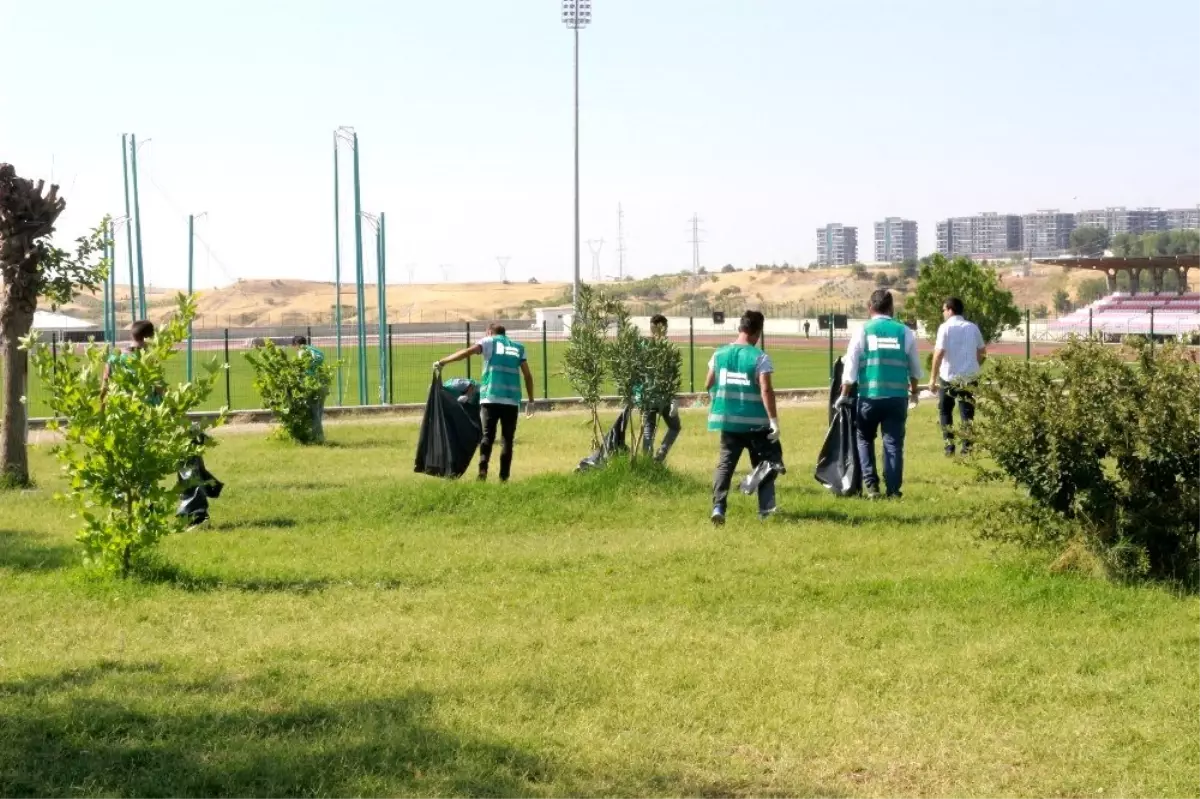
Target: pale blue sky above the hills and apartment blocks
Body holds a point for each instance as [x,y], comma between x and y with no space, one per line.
[769,118]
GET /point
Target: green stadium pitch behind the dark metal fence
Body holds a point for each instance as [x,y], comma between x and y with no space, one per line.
[796,369]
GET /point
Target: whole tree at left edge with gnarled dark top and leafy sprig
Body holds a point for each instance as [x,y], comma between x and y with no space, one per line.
[32,268]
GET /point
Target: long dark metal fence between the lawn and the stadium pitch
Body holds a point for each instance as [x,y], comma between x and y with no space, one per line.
[397,368]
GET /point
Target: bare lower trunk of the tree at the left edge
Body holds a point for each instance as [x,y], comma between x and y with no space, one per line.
[16,320]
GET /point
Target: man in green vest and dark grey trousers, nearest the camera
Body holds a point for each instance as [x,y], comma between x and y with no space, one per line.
[743,412]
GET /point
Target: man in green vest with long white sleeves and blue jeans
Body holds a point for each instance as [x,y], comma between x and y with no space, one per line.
[883,362]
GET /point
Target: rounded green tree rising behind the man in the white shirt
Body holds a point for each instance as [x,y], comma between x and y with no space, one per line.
[988,305]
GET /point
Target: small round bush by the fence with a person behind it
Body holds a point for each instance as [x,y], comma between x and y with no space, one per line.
[290,387]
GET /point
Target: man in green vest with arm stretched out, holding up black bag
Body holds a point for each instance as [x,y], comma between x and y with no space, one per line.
[500,394]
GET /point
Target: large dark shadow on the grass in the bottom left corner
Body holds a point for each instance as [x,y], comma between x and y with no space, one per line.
[137,738]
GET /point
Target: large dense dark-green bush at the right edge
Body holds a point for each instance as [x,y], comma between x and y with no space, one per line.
[1107,455]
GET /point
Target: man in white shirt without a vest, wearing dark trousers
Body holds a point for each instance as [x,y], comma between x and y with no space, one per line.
[958,357]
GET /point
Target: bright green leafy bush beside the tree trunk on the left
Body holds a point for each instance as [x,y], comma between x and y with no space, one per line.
[118,449]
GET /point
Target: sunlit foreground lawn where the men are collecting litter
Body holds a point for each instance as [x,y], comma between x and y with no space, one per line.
[347,628]
